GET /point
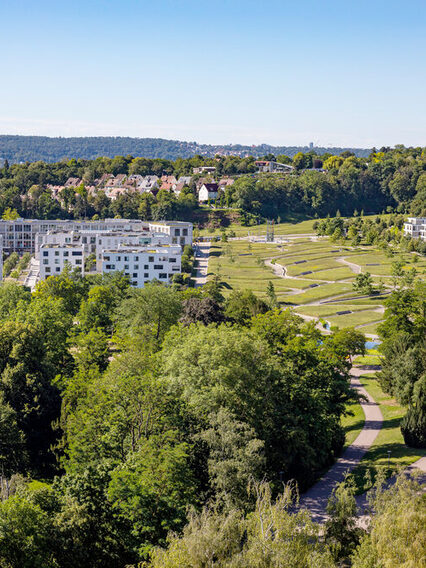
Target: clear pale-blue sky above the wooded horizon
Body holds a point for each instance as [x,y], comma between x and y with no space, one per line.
[227,71]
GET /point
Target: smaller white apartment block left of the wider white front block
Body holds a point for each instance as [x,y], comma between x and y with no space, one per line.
[54,258]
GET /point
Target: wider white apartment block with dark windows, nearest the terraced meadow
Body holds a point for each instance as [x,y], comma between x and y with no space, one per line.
[143,264]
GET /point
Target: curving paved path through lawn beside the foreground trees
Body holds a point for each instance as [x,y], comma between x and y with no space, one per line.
[315,499]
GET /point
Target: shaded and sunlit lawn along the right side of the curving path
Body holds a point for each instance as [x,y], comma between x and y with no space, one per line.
[389,439]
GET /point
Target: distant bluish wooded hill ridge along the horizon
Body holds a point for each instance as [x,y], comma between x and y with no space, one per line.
[33,148]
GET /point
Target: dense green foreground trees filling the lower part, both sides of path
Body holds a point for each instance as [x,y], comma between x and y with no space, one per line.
[131,415]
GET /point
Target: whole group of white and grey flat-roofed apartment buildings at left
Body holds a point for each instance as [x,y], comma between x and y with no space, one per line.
[142,250]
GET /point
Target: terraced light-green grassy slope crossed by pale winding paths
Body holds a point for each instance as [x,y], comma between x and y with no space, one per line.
[325,290]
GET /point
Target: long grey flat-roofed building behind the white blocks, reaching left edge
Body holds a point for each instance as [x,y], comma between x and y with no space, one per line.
[19,235]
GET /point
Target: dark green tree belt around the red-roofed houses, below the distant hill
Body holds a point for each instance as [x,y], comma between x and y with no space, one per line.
[387,180]
